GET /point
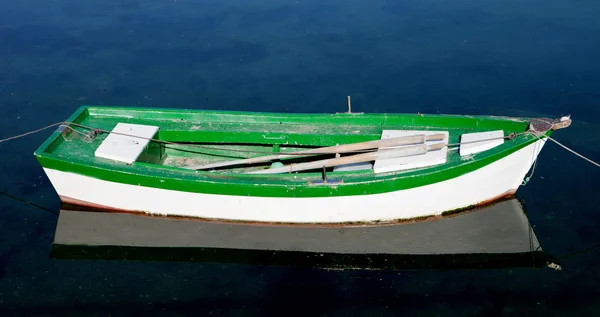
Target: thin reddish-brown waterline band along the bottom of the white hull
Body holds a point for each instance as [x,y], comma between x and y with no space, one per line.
[84,206]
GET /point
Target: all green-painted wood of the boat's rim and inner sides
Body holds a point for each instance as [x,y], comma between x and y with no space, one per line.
[243,131]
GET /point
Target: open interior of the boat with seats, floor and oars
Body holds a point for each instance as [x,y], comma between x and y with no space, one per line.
[247,143]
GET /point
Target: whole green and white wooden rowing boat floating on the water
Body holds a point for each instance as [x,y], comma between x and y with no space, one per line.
[343,168]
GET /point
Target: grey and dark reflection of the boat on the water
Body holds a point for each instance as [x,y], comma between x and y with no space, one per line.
[494,236]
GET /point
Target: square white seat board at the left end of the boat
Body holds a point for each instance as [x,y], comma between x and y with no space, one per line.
[124,148]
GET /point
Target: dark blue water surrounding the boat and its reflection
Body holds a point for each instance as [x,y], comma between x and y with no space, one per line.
[507,57]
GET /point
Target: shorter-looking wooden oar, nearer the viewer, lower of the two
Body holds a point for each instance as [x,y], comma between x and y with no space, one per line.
[364,157]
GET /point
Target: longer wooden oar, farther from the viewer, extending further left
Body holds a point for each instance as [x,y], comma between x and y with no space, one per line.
[344,148]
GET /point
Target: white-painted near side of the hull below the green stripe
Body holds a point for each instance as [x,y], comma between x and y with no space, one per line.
[480,185]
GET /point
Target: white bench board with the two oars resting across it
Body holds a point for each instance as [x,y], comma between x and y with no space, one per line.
[409,162]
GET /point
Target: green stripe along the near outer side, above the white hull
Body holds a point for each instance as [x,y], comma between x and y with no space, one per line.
[224,185]
